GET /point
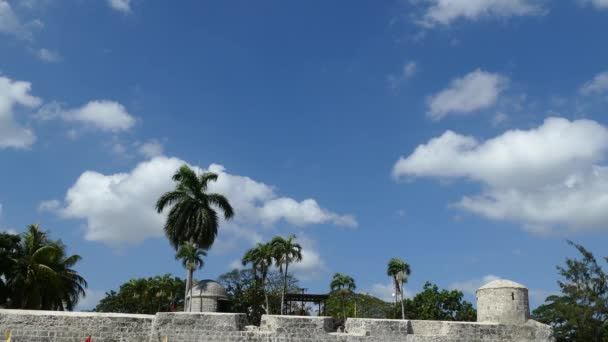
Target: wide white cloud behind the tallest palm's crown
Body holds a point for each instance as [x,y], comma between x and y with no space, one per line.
[119,208]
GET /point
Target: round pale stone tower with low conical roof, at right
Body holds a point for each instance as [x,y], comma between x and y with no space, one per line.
[504,302]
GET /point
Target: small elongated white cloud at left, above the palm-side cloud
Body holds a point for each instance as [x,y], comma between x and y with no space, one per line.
[105,115]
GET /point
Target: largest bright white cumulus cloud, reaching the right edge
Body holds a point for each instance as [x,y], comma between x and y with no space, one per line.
[550,178]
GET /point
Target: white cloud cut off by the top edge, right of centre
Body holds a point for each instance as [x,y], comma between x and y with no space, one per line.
[445,12]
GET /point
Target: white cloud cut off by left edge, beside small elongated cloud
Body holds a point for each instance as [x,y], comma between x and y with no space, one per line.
[14,94]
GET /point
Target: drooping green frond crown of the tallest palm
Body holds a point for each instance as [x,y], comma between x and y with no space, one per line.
[192,217]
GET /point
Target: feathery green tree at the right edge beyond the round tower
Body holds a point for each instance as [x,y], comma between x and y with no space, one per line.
[580,312]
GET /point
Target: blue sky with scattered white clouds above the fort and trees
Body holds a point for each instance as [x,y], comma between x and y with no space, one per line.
[467,137]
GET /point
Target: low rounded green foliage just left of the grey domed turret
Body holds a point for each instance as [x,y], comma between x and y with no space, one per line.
[145,296]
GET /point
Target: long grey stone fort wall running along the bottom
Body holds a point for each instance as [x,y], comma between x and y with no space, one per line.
[46,326]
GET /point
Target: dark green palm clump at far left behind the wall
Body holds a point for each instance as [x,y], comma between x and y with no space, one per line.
[36,272]
